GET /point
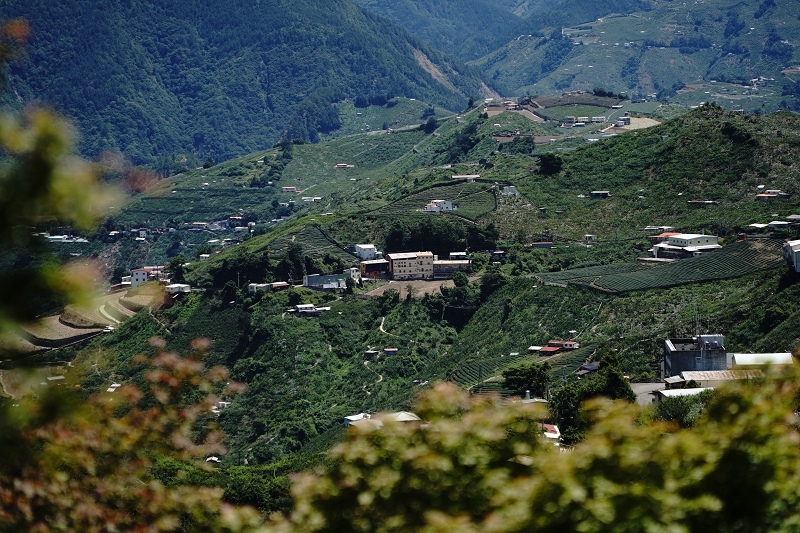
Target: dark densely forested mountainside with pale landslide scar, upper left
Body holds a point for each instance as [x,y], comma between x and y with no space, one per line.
[182,80]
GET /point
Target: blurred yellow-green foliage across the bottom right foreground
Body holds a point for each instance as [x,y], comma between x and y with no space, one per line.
[481,466]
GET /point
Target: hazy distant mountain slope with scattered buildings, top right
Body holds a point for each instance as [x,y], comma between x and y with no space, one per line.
[660,51]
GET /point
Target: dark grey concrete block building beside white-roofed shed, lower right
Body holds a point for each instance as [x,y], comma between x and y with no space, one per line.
[701,353]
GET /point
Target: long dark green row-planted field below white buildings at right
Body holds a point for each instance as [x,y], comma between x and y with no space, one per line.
[736,260]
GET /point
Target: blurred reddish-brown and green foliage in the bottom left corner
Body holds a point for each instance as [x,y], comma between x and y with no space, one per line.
[87,465]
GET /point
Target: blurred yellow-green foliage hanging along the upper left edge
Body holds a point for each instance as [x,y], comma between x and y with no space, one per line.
[40,180]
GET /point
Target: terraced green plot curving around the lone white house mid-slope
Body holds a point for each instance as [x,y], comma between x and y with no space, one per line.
[472,199]
